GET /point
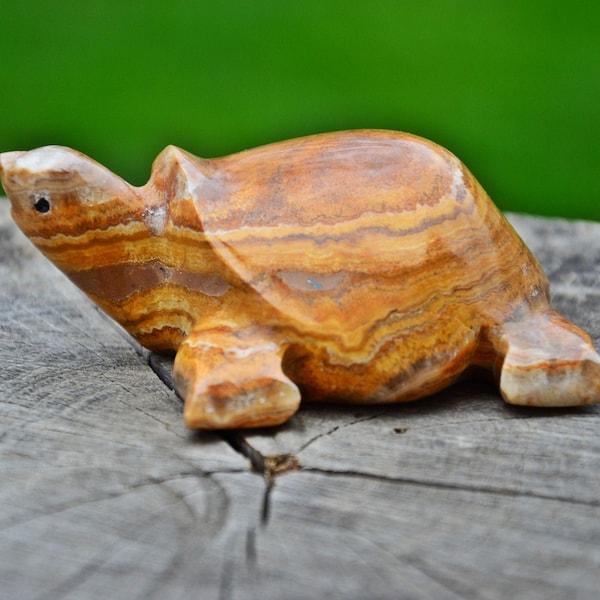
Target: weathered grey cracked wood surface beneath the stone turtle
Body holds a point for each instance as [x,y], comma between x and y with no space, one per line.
[104,493]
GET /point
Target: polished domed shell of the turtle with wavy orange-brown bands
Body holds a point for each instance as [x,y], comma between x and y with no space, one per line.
[342,233]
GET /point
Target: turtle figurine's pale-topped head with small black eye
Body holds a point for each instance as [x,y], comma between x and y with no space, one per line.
[55,190]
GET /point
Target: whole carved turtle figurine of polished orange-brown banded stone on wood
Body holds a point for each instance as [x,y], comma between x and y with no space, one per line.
[361,266]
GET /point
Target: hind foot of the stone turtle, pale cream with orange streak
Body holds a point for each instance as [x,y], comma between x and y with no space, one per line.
[546,361]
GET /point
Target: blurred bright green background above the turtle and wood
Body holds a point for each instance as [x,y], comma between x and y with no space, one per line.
[512,87]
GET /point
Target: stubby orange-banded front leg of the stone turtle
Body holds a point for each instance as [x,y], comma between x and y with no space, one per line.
[233,378]
